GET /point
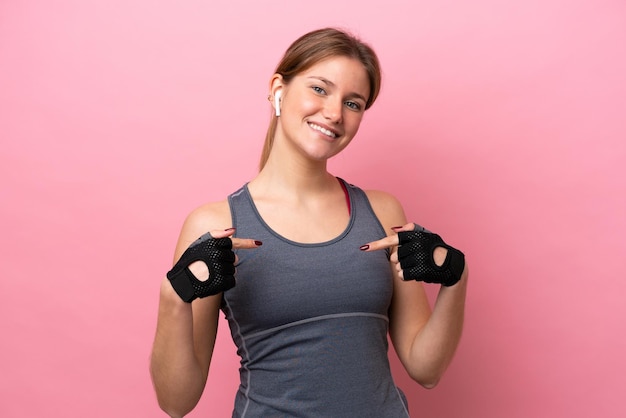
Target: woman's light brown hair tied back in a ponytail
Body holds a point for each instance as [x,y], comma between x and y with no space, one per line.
[317,46]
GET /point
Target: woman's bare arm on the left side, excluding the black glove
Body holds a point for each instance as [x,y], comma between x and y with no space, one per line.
[186,332]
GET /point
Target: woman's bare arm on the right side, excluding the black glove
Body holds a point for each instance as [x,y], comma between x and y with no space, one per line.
[425,340]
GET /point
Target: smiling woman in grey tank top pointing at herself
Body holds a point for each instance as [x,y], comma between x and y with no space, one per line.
[324,270]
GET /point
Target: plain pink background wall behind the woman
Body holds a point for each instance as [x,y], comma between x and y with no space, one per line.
[501,125]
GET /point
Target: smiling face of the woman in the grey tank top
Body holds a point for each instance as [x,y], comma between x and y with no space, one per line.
[322,108]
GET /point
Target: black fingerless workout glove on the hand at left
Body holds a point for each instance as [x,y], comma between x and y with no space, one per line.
[217,254]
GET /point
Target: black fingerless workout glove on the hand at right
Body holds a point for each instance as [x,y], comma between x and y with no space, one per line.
[415,254]
